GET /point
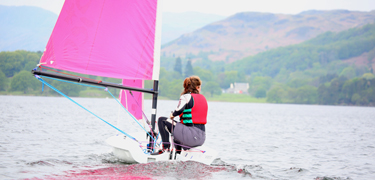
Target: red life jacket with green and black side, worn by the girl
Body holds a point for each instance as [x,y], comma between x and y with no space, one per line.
[198,113]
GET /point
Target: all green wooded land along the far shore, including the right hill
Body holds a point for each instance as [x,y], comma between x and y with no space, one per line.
[313,72]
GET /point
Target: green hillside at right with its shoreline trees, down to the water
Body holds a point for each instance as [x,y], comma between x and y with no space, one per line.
[316,71]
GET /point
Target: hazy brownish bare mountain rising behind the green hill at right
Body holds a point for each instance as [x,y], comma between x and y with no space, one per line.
[249,33]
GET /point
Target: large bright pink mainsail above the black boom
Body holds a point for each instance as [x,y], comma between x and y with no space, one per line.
[118,39]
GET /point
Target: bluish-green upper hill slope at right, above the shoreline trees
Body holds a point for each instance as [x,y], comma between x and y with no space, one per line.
[324,52]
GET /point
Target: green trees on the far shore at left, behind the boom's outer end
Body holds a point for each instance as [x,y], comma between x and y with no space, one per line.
[16,77]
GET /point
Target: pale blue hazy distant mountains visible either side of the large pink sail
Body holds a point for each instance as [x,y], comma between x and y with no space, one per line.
[29,27]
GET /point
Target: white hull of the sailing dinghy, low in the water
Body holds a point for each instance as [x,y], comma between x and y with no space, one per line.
[130,151]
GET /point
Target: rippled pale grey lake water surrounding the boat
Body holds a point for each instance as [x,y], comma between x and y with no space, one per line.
[52,138]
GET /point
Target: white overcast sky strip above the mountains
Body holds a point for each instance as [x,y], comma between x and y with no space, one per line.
[229,7]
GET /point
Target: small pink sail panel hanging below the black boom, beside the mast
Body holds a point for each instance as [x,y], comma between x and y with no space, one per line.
[132,104]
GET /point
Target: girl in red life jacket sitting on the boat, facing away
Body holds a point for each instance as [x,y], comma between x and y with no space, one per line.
[192,110]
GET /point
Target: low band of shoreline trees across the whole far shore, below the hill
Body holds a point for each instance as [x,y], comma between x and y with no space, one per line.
[345,87]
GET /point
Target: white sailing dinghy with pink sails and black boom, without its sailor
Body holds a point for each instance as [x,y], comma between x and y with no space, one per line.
[116,39]
